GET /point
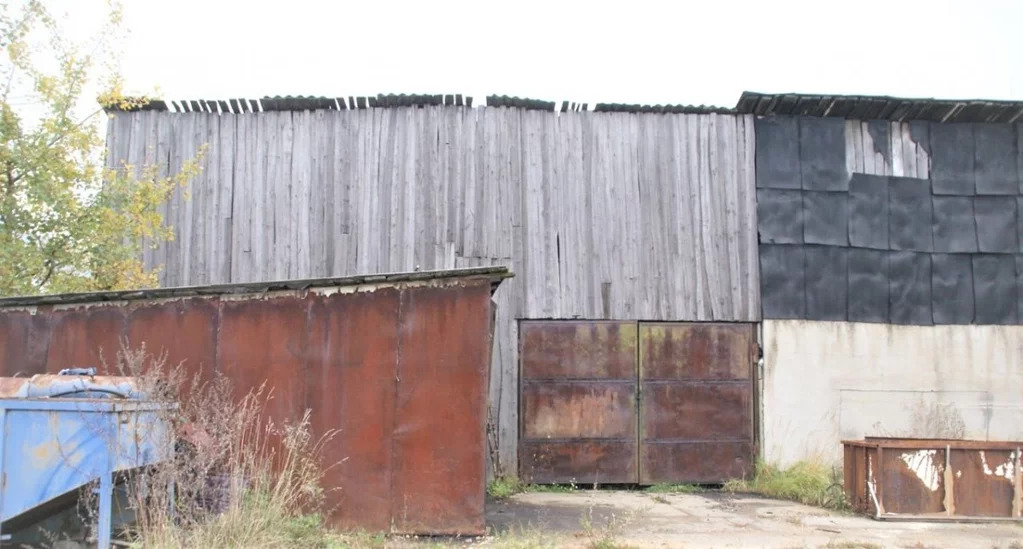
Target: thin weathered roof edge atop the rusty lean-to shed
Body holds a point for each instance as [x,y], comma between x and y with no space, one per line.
[496,273]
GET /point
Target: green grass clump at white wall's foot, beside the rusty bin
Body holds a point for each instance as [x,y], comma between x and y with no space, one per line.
[807,482]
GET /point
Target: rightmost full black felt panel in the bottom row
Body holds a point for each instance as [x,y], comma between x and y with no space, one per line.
[995,289]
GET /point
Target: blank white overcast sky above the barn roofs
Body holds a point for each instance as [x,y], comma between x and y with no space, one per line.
[634,53]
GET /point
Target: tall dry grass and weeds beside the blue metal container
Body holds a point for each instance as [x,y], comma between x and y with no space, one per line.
[236,478]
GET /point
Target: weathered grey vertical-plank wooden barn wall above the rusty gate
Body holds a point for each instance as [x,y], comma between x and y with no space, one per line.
[600,215]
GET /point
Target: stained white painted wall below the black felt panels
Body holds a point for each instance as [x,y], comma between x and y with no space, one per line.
[828,382]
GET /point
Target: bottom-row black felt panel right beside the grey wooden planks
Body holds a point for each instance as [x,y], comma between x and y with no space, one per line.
[782,282]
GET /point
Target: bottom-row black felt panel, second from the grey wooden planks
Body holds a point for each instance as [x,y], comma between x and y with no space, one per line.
[827,269]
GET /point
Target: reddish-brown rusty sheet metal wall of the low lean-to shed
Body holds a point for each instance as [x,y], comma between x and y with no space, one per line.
[399,371]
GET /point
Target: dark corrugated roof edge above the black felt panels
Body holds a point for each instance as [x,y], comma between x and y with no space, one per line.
[880,108]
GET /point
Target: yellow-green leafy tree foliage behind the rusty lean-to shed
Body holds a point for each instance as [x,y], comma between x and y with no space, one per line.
[68,223]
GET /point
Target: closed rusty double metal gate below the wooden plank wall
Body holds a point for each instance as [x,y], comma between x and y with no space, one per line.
[621,402]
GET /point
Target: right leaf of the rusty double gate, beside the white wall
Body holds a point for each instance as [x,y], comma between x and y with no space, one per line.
[696,402]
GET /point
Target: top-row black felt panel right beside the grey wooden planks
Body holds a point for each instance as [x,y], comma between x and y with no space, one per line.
[778,153]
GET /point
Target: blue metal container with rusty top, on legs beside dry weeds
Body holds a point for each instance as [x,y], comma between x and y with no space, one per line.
[59,434]
